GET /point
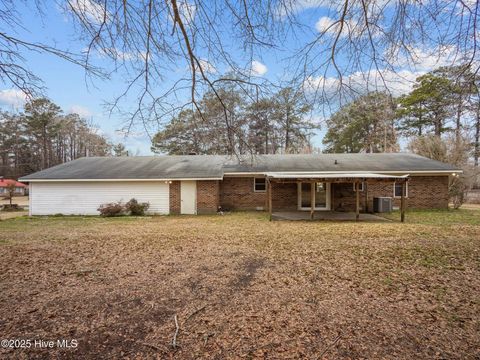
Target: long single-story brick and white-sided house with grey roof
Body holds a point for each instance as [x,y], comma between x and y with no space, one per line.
[199,184]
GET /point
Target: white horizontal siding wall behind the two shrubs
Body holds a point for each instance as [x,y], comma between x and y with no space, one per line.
[83,198]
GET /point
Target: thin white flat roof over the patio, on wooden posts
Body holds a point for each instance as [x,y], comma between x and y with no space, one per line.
[354,176]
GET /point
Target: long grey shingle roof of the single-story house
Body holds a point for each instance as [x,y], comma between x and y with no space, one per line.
[215,166]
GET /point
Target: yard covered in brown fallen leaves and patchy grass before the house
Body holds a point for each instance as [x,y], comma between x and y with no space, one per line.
[242,287]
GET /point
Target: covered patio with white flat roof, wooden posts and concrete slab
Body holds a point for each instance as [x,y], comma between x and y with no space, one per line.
[319,184]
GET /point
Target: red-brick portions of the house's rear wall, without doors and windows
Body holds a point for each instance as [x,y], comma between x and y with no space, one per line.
[237,193]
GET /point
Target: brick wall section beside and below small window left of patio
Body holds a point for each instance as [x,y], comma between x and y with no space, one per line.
[237,193]
